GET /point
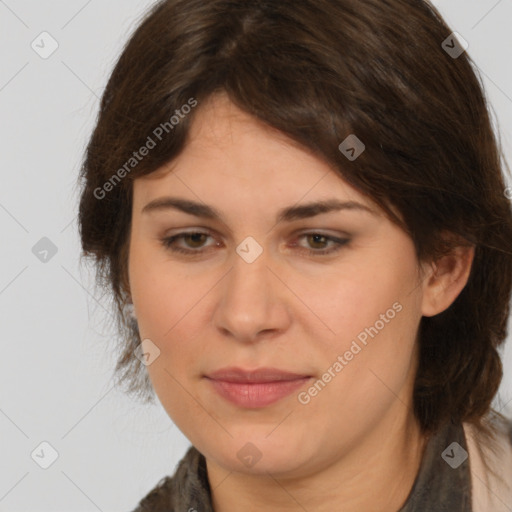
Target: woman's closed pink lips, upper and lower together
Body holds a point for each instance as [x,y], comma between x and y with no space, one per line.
[255,388]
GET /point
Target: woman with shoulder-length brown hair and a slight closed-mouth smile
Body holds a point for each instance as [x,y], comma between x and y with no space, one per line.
[300,209]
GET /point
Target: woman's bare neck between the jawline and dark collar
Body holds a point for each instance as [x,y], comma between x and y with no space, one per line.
[378,474]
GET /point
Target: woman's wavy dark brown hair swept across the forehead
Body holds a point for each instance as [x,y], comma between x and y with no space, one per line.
[318,71]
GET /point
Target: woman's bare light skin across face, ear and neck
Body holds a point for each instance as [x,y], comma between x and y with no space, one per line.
[356,445]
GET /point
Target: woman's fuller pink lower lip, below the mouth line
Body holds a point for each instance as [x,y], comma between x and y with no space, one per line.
[254,395]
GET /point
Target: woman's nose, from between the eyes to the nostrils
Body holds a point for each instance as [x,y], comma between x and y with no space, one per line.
[253,302]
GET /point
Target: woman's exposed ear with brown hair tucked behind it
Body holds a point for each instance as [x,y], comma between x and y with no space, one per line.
[447,279]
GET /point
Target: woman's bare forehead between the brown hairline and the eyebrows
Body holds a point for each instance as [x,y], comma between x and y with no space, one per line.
[236,163]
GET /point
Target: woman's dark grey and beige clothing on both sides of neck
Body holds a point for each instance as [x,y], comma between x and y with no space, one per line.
[444,482]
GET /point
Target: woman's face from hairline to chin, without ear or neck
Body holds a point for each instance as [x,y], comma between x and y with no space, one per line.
[260,289]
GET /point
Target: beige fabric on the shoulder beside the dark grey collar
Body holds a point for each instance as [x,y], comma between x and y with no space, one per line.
[490,460]
